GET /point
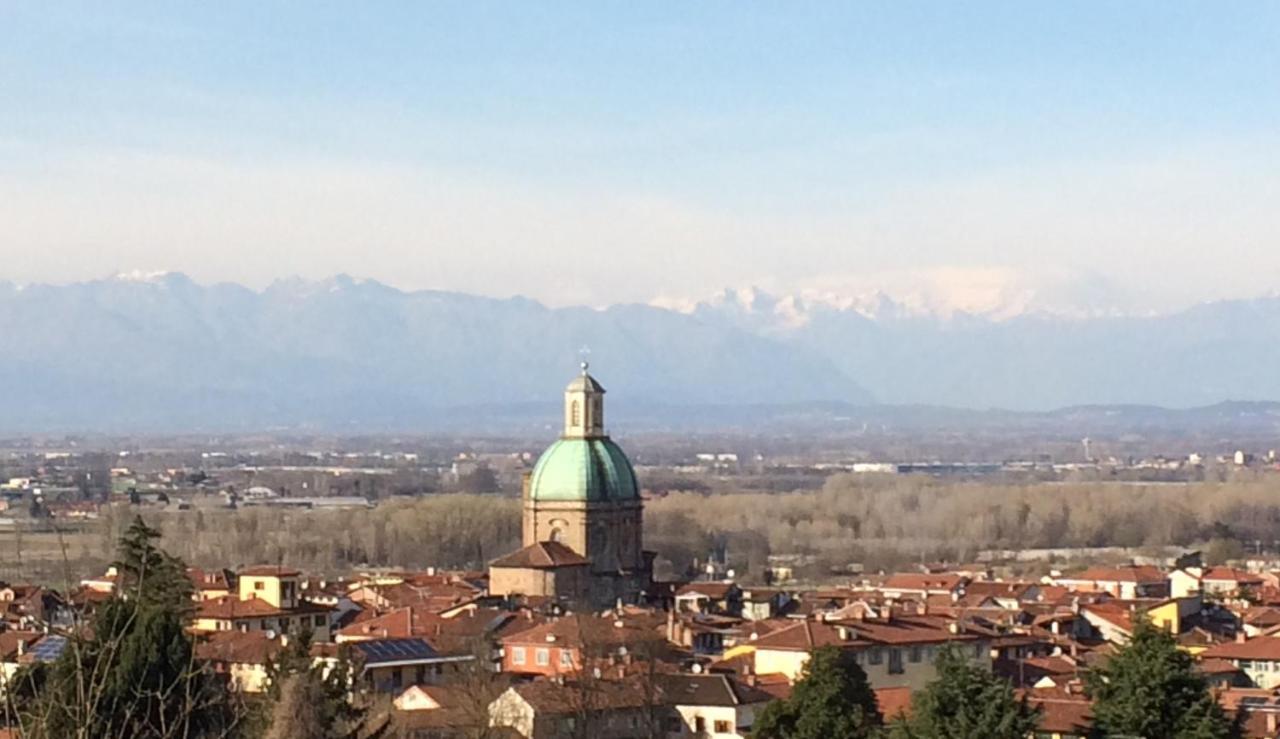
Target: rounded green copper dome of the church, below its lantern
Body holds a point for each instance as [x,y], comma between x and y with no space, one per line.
[591,469]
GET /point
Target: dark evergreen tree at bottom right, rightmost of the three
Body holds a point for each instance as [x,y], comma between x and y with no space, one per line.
[1150,688]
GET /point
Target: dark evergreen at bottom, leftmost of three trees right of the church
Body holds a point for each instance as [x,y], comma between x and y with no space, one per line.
[830,701]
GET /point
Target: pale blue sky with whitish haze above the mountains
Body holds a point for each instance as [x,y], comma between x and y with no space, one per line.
[1101,154]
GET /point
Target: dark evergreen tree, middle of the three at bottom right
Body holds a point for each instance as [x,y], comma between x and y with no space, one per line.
[967,702]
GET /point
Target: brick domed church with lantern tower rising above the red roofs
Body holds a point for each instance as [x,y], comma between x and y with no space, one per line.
[583,516]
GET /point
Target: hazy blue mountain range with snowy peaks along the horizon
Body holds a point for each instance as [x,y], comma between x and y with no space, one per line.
[166,353]
